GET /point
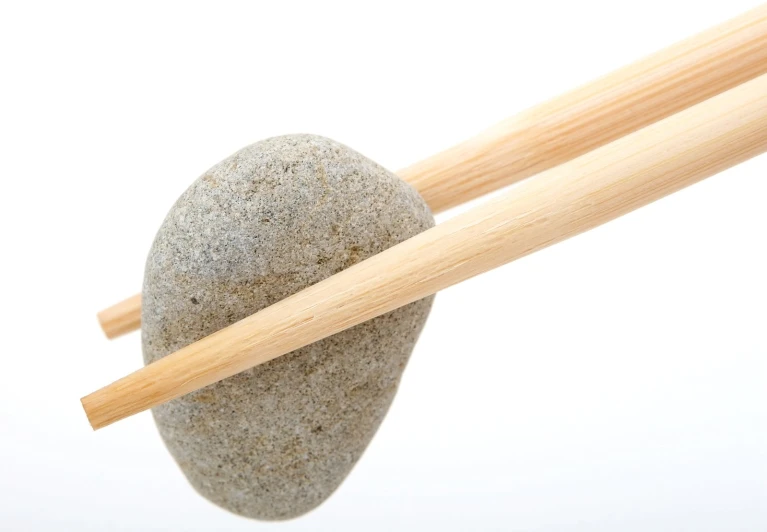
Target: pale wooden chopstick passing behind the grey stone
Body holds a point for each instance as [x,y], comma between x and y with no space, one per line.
[591,116]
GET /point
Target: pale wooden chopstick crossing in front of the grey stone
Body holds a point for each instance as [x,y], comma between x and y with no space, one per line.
[550,207]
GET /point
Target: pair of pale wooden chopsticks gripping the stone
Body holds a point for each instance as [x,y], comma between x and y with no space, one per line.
[599,152]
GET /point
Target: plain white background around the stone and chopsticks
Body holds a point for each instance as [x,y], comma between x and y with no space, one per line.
[612,382]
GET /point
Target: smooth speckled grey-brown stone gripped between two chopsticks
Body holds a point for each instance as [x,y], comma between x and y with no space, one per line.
[277,216]
